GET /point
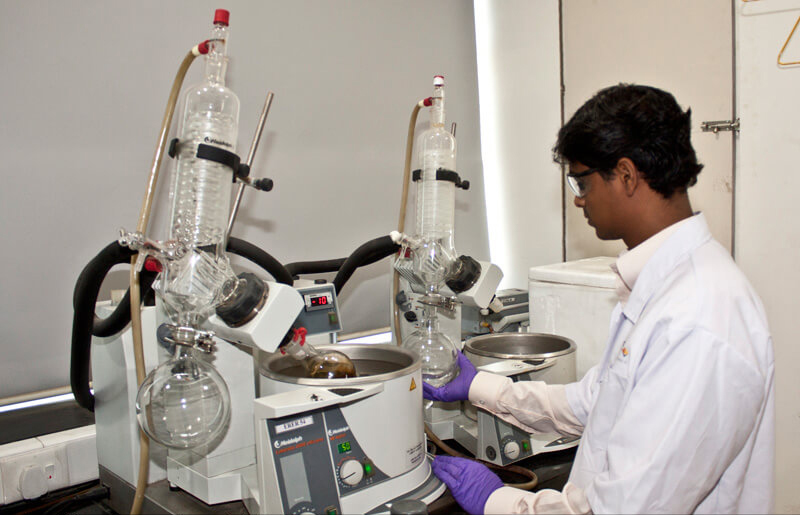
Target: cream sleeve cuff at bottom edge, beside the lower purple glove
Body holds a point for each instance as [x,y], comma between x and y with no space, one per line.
[571,500]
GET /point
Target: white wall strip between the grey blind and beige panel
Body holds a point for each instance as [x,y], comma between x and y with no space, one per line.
[519,81]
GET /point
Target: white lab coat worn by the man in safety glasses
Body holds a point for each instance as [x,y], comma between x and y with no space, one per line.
[679,414]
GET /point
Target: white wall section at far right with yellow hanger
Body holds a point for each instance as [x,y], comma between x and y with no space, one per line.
[767,182]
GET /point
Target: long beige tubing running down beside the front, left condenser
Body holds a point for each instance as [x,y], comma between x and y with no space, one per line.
[135,292]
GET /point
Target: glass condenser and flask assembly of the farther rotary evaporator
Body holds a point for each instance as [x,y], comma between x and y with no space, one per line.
[432,281]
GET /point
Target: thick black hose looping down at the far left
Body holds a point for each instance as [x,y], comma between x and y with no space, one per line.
[84,299]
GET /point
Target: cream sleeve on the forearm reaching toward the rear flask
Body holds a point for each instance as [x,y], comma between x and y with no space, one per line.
[533,405]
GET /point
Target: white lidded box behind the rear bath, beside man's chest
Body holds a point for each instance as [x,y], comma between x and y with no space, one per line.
[574,299]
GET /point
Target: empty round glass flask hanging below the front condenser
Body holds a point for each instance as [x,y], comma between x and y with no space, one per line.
[184,402]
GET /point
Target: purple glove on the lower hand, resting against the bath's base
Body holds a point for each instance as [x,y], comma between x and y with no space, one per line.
[470,482]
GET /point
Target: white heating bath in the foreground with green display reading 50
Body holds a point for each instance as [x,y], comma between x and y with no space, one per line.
[351,445]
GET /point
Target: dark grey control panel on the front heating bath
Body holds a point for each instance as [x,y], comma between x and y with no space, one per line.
[318,461]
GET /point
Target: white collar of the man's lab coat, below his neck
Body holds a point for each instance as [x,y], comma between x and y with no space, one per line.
[690,234]
